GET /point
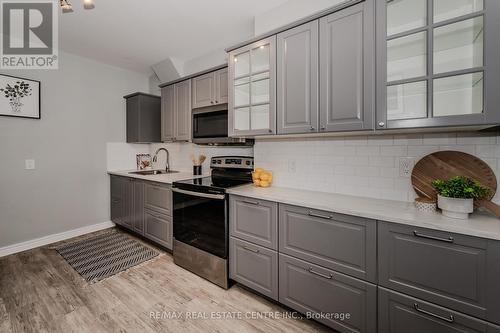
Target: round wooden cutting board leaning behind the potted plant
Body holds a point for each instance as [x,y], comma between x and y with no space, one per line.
[447,164]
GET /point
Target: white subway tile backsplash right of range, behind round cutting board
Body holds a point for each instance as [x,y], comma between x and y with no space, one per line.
[364,166]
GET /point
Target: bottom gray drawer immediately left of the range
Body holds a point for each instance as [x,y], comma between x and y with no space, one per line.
[158,228]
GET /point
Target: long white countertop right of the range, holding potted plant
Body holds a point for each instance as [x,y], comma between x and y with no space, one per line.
[480,224]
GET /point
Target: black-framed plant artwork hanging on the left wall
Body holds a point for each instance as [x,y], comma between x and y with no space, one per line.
[19,97]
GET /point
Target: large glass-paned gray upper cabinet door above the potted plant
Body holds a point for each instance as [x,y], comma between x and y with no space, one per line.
[438,63]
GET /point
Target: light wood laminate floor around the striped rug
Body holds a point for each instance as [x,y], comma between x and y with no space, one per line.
[40,292]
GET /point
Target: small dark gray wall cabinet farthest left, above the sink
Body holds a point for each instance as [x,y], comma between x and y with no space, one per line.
[143,118]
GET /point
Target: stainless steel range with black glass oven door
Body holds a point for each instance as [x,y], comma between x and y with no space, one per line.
[201,231]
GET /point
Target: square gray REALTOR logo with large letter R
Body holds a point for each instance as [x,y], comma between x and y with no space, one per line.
[29,38]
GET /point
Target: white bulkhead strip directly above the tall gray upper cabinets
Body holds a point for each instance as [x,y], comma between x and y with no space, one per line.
[289,12]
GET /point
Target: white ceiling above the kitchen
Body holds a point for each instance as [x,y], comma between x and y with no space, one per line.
[136,34]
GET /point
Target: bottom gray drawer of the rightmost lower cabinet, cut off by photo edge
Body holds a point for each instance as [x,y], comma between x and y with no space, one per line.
[401,313]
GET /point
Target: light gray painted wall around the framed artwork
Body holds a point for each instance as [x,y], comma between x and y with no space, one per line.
[82,109]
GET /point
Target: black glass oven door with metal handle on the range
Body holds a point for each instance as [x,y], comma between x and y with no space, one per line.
[200,220]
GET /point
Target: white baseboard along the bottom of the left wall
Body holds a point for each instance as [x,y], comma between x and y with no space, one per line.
[42,241]
